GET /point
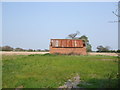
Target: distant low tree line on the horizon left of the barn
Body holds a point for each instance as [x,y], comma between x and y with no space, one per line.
[9,48]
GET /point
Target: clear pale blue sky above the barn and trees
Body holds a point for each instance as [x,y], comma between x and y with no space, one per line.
[33,24]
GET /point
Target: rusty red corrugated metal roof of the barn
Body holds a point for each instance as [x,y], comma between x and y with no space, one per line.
[66,43]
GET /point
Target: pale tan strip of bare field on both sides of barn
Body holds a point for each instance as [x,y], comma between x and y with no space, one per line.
[28,53]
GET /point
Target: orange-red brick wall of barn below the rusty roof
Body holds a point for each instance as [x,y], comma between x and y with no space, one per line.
[81,51]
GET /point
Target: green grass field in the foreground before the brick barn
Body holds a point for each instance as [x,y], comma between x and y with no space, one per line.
[51,71]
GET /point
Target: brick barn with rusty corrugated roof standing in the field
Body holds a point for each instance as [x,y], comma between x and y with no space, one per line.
[67,46]
